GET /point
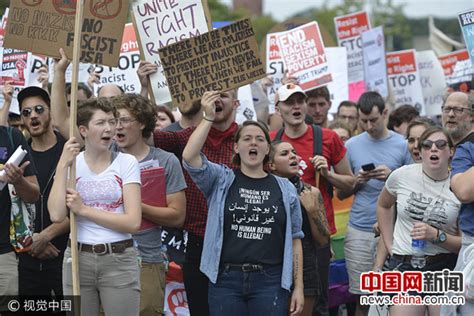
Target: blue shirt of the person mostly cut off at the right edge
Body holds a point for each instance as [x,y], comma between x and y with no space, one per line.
[463,160]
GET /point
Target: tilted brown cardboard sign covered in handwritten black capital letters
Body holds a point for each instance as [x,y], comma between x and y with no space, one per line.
[219,60]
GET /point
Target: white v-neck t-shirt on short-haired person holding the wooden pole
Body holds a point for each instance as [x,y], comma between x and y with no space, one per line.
[103,192]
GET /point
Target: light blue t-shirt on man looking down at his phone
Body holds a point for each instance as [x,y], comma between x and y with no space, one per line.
[391,151]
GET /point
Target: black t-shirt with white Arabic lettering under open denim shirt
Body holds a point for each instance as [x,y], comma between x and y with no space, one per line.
[254,221]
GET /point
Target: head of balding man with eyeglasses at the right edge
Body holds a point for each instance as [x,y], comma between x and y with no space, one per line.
[457,116]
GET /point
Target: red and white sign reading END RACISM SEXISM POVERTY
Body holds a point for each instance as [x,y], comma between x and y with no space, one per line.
[302,51]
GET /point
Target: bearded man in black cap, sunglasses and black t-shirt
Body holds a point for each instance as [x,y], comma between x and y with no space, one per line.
[40,270]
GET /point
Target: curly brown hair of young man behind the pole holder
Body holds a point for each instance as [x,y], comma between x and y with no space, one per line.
[140,108]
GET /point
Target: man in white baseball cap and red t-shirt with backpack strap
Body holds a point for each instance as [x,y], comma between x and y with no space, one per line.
[290,104]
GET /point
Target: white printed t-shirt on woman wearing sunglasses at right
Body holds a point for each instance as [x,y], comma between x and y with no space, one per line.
[421,199]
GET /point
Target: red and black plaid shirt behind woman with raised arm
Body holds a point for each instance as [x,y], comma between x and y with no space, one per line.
[196,205]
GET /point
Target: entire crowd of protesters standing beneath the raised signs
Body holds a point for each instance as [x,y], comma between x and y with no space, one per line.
[256,200]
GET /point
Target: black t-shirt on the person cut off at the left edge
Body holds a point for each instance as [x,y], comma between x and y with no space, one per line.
[6,150]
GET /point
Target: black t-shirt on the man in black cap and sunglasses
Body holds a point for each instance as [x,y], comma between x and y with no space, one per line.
[46,162]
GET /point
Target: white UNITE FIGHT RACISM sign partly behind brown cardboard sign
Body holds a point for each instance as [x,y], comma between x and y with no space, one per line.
[159,24]
